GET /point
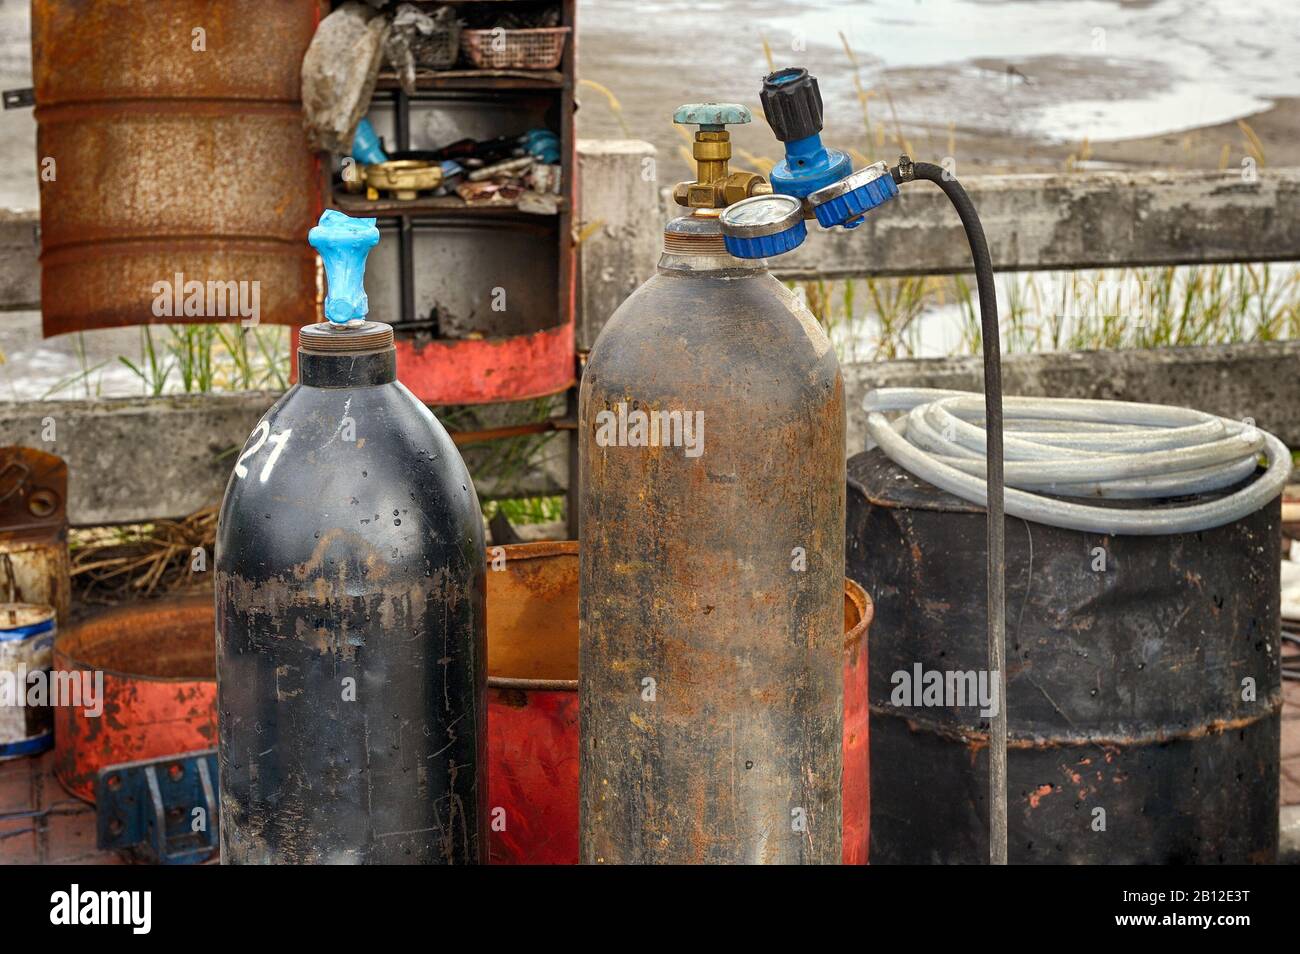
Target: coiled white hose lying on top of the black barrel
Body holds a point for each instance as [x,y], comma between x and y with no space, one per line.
[1084,449]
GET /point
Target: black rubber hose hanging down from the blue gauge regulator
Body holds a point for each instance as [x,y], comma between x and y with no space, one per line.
[908,171]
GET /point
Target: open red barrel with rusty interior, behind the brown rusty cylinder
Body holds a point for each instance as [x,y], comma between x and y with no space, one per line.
[534,718]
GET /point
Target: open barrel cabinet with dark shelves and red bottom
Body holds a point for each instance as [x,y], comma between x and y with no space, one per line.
[447,249]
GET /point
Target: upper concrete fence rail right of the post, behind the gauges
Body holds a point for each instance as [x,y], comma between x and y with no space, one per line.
[1093,220]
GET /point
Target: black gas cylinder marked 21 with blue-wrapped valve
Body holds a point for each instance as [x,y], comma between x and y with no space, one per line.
[350,610]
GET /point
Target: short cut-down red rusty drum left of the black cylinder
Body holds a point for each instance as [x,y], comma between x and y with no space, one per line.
[158,665]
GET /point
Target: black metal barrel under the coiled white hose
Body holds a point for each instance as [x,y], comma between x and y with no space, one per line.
[1143,684]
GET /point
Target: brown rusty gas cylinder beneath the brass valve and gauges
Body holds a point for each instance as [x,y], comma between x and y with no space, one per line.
[712,570]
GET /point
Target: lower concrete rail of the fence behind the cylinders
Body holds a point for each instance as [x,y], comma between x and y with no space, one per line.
[138,459]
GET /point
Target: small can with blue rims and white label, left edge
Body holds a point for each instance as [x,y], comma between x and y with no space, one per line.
[27,640]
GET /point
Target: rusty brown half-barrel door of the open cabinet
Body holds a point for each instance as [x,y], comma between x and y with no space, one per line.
[172,151]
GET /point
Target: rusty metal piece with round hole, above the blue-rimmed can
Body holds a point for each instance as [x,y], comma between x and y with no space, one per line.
[34,566]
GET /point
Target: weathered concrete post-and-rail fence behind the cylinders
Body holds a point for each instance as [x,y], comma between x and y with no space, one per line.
[138,459]
